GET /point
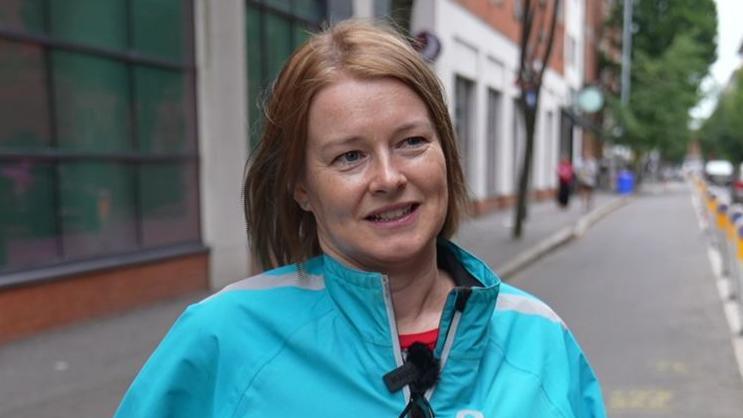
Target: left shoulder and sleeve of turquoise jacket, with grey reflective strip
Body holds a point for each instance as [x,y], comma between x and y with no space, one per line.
[216,345]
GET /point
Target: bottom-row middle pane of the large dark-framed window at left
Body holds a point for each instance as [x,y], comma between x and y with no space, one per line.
[98,209]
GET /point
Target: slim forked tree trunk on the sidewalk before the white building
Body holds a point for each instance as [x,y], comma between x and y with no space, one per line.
[536,50]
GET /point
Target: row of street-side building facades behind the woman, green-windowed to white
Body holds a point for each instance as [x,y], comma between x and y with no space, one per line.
[125,126]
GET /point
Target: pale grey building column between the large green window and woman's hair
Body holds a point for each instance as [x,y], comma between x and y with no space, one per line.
[223,142]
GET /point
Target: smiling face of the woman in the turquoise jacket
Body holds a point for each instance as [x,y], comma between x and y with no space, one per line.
[375,177]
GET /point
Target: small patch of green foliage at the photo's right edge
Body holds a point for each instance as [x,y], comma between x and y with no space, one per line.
[721,135]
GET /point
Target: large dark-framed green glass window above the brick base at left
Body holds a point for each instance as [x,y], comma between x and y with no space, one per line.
[98,152]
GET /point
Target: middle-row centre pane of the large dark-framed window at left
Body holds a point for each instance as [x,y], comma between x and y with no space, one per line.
[92,103]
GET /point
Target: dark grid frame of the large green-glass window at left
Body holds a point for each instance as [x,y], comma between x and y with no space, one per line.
[51,154]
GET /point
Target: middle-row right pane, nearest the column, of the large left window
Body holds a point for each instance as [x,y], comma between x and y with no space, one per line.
[161,111]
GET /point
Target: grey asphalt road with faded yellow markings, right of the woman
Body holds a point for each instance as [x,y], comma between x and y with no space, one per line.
[640,295]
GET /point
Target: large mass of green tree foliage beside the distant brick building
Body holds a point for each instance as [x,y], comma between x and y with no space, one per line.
[673,46]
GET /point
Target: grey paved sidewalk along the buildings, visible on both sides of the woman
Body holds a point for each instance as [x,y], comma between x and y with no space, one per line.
[82,371]
